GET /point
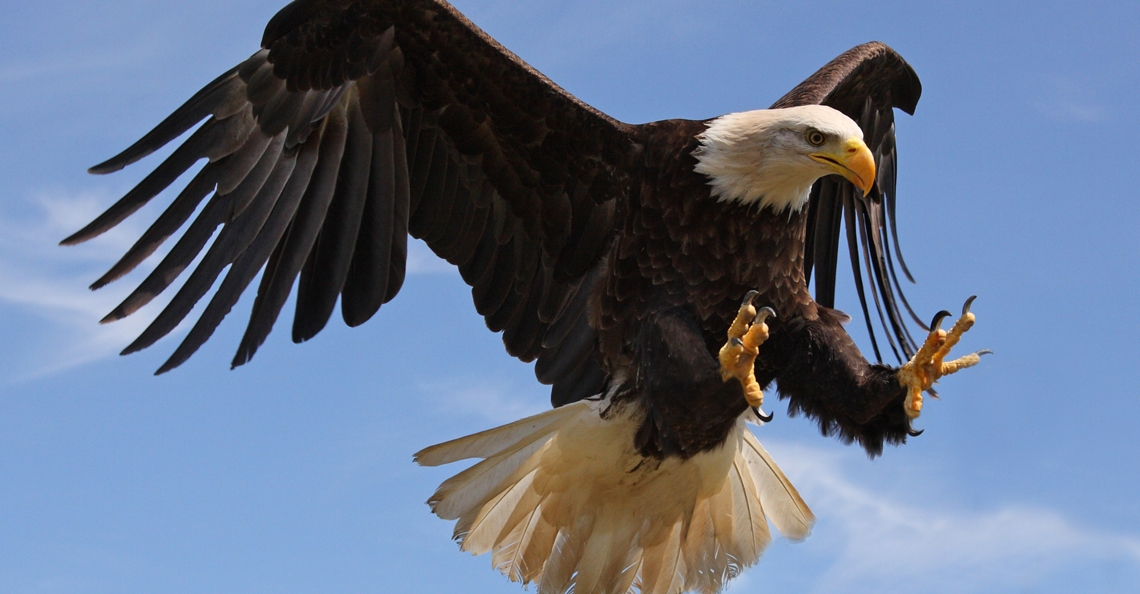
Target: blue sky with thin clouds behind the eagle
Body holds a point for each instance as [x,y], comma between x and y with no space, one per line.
[295,474]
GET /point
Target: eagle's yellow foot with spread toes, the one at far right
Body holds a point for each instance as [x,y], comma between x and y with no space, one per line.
[929,365]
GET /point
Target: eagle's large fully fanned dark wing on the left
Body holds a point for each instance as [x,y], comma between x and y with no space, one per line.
[360,124]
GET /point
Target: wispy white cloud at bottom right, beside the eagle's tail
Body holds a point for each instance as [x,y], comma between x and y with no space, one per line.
[885,542]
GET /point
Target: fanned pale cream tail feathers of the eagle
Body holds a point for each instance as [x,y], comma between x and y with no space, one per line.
[564,501]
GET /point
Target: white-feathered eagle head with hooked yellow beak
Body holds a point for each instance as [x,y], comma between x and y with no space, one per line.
[773,157]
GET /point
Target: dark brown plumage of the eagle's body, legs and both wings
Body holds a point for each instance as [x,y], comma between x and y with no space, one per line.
[590,243]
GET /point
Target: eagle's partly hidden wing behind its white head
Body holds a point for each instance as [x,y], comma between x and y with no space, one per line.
[867,84]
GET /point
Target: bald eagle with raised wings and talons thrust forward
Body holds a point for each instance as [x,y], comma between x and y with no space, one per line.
[656,273]
